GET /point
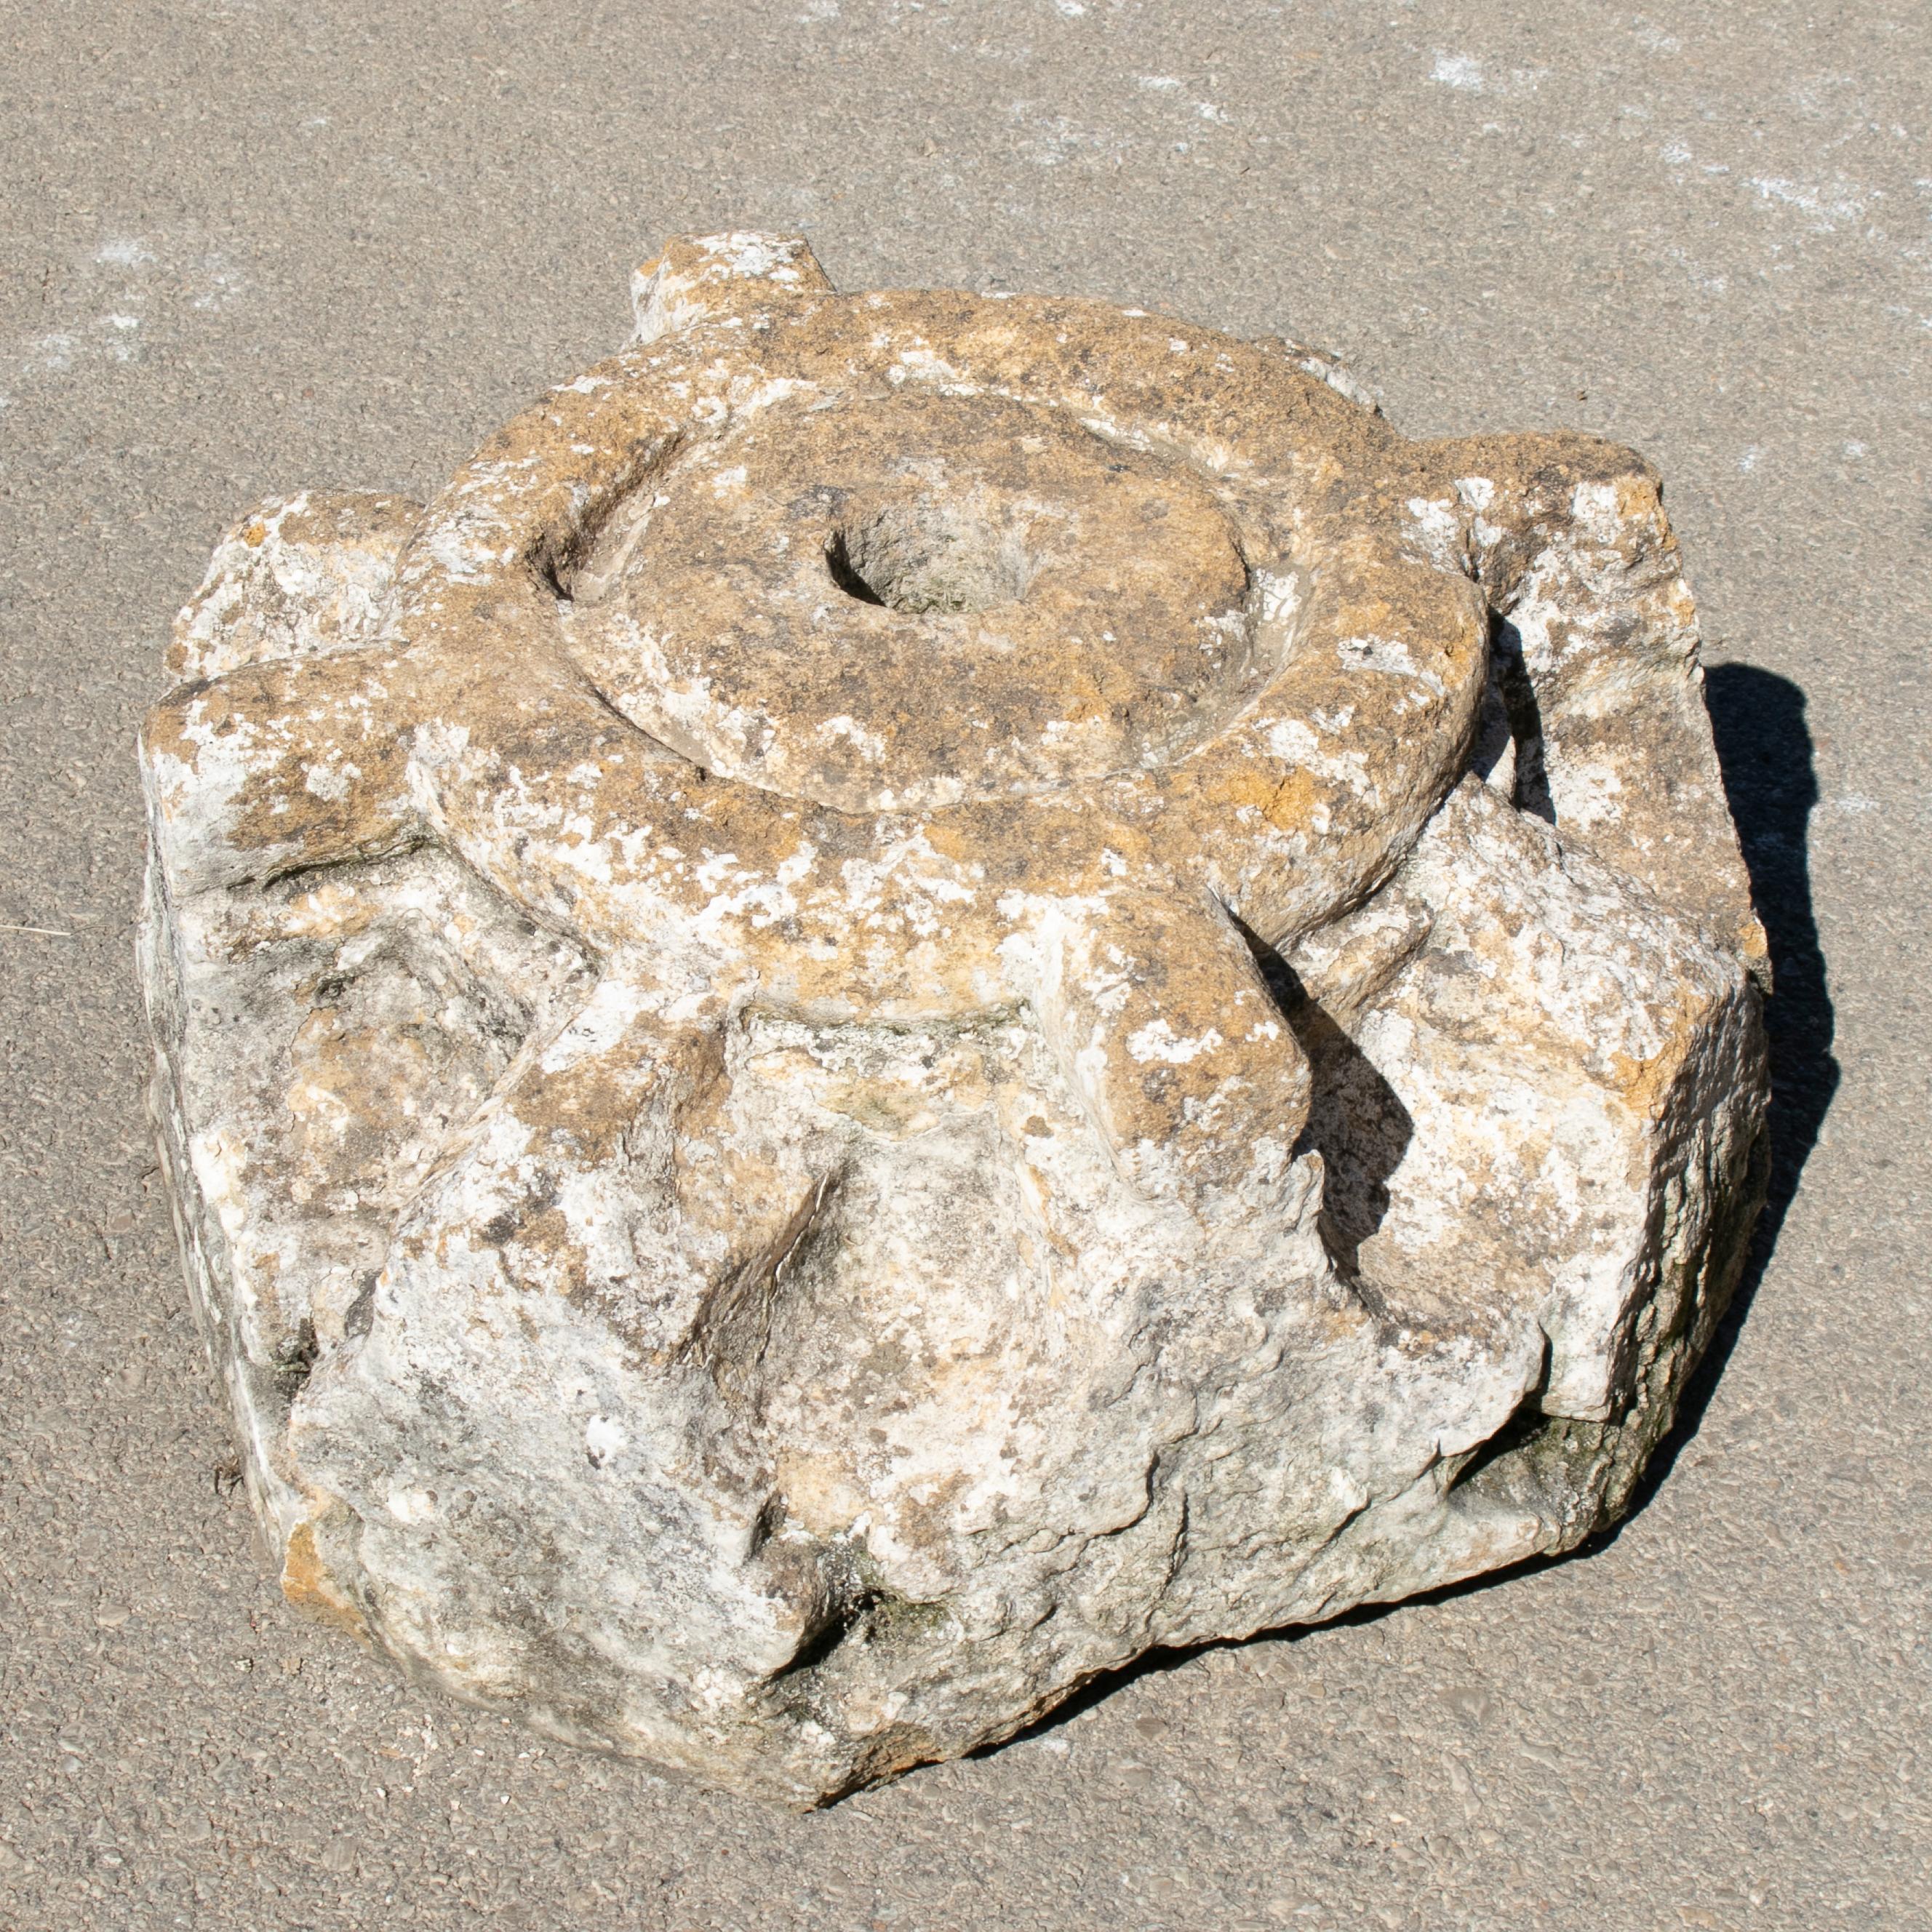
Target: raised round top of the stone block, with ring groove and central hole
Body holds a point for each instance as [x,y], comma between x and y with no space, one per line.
[926,652]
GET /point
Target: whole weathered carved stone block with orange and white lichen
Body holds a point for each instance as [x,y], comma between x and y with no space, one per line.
[928,990]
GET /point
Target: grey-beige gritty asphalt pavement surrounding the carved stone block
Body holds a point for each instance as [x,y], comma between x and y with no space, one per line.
[256,246]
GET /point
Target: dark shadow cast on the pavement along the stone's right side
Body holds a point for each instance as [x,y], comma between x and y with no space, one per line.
[1765,751]
